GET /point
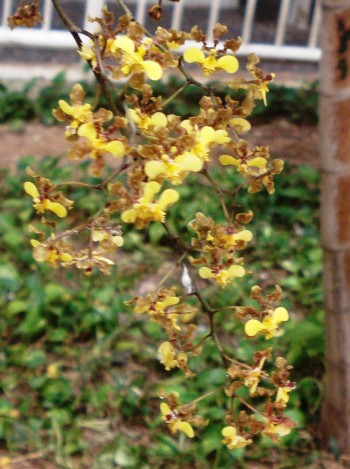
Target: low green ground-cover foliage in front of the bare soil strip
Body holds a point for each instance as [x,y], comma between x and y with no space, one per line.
[79,374]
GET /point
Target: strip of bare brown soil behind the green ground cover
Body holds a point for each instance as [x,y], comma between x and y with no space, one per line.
[294,143]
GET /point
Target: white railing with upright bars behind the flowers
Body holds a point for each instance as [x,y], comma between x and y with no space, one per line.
[293,15]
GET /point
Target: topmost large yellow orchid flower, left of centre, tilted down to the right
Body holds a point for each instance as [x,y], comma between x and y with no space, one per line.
[132,58]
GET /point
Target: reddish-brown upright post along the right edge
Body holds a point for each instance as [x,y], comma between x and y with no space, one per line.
[335,216]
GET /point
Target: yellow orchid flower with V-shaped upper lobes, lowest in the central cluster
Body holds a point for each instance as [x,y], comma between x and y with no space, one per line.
[145,210]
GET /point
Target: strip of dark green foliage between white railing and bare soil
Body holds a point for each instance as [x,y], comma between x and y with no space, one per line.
[34,101]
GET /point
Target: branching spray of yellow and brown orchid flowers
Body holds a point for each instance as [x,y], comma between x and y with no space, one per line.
[155,152]
